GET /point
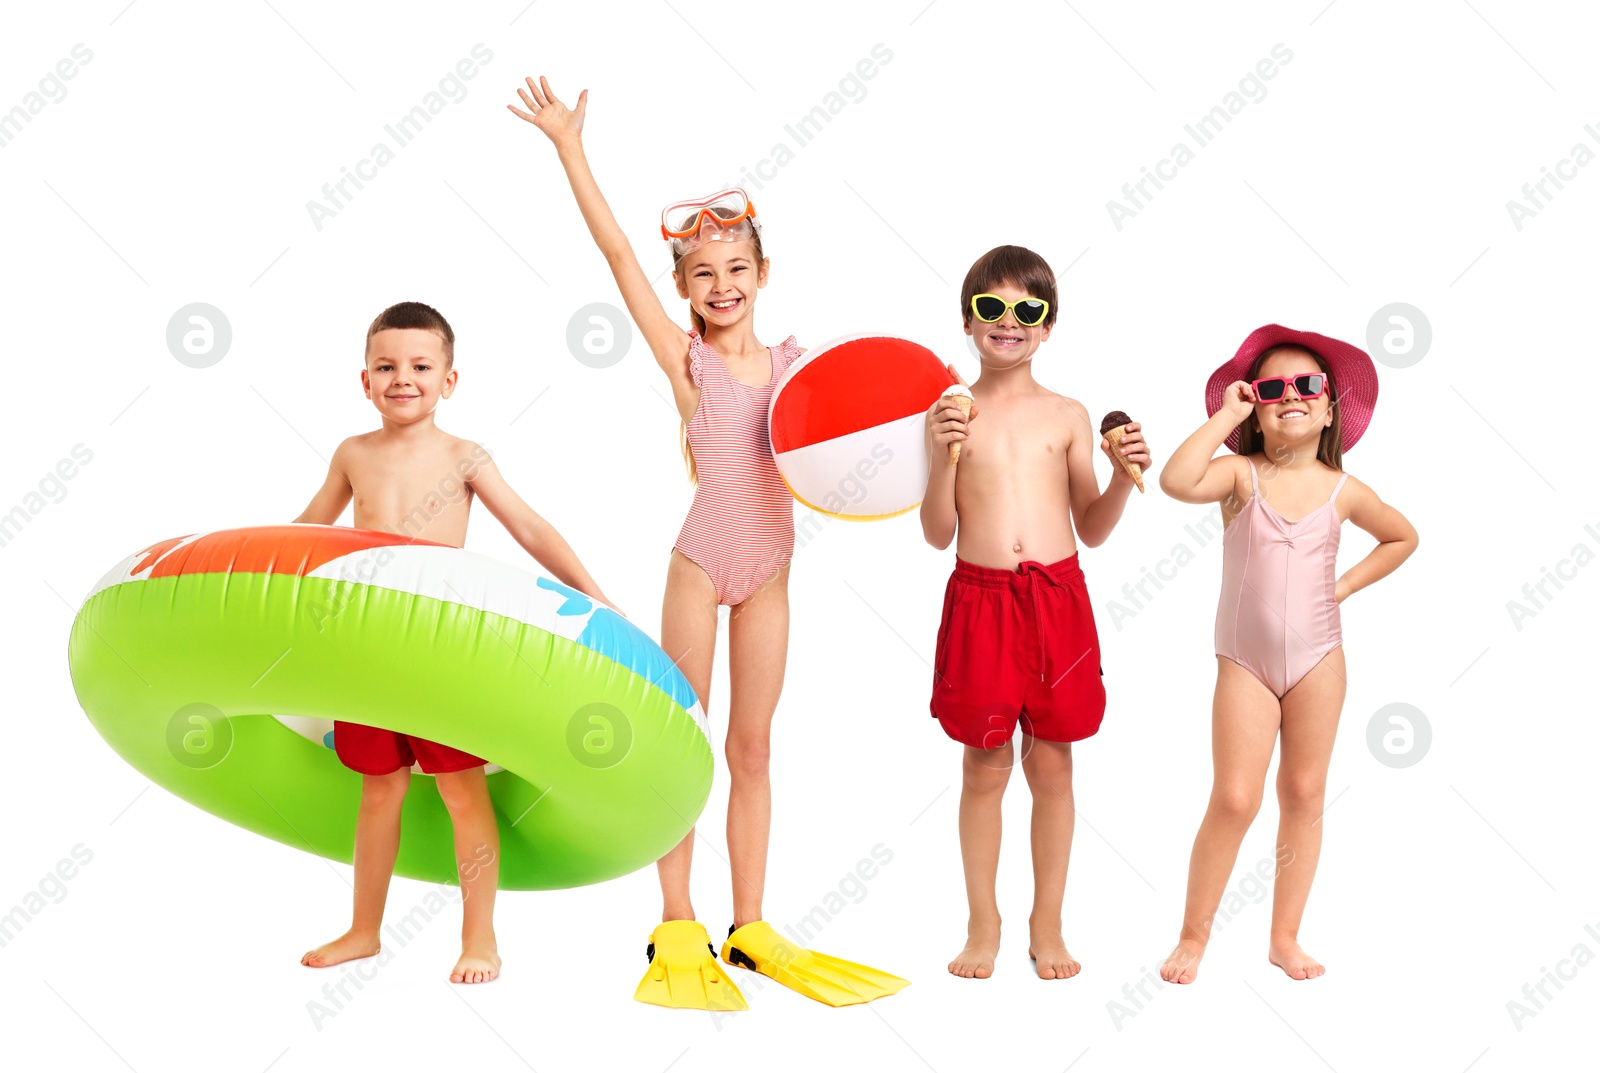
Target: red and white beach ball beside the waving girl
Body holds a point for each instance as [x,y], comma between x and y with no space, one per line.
[847,426]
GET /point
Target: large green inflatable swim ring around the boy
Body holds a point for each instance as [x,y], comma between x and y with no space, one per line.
[214,663]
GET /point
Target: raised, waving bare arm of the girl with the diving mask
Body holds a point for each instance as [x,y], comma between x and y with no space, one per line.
[564,127]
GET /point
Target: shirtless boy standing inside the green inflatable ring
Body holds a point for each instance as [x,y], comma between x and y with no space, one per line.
[394,474]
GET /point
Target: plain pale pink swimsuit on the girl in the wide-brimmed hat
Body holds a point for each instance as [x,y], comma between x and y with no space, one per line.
[1278,616]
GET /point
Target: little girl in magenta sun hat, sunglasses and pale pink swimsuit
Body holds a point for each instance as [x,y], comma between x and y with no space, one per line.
[1289,405]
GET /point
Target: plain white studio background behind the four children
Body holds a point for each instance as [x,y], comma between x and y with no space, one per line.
[1377,170]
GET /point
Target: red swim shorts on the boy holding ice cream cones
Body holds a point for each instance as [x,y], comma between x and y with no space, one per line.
[1018,645]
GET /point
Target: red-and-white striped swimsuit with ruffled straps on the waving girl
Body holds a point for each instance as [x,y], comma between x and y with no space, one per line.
[742,525]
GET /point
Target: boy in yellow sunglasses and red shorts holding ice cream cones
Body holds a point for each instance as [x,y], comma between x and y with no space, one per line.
[1017,640]
